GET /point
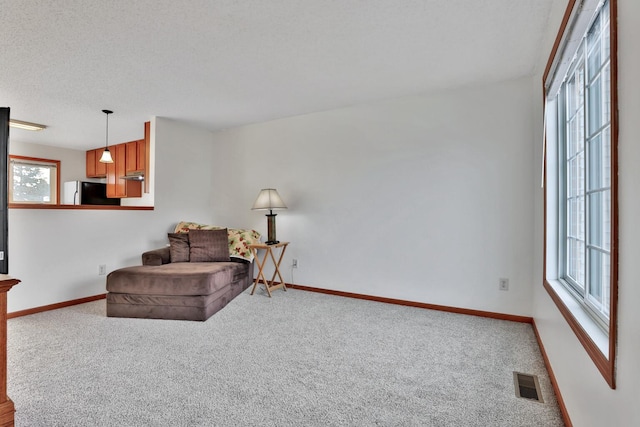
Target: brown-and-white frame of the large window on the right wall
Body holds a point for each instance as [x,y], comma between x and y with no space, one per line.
[581,324]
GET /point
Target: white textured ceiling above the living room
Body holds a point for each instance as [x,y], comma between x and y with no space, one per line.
[225,63]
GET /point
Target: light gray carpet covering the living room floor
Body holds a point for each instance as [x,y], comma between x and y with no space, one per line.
[297,359]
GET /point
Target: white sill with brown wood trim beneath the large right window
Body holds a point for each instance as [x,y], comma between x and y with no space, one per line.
[593,339]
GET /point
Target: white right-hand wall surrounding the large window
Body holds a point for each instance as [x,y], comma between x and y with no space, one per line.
[588,398]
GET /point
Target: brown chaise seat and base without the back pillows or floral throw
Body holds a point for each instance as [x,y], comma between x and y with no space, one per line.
[160,289]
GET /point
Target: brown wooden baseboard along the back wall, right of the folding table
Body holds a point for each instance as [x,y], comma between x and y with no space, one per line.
[492,315]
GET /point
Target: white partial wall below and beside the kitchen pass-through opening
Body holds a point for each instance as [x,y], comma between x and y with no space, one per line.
[56,253]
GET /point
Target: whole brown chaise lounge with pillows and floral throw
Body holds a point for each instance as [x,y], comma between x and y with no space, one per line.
[167,286]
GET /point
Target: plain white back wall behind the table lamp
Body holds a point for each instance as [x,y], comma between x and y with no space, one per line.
[423,198]
